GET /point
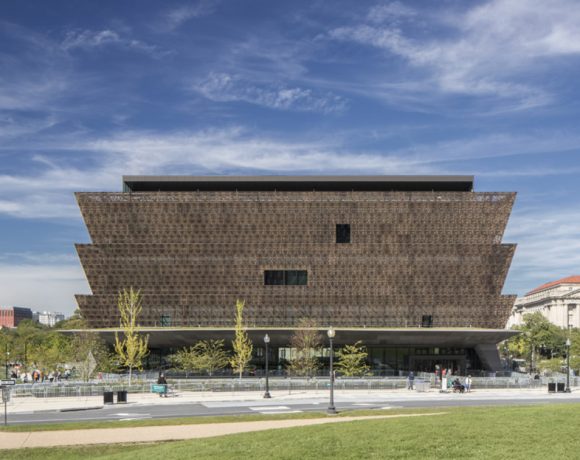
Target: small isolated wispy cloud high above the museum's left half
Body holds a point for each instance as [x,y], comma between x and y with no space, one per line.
[224,87]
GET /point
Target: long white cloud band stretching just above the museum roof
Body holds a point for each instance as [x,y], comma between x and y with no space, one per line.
[49,193]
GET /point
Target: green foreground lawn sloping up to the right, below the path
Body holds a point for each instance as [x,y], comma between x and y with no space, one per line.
[517,432]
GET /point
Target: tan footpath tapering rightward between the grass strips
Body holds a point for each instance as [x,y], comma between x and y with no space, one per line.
[164,433]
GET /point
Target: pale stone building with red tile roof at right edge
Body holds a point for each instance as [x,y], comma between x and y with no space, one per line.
[557,300]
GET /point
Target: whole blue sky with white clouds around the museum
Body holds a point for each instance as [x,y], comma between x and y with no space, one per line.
[90,91]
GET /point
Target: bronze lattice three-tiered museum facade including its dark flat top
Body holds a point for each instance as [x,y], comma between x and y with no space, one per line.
[419,252]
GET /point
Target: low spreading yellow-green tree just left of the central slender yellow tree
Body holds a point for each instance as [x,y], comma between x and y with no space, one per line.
[205,355]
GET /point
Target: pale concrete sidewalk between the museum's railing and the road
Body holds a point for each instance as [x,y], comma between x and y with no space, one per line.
[29,405]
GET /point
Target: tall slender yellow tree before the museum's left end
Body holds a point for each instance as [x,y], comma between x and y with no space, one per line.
[133,348]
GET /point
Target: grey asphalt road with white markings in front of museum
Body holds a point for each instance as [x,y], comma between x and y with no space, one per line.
[170,410]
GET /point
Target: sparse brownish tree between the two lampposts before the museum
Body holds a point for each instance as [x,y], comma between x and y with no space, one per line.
[306,343]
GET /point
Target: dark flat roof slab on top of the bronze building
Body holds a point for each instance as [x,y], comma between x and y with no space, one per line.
[298,183]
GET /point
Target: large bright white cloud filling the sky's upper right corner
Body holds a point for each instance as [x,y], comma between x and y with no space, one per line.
[490,50]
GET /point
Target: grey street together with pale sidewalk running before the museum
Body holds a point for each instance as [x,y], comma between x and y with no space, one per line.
[175,407]
